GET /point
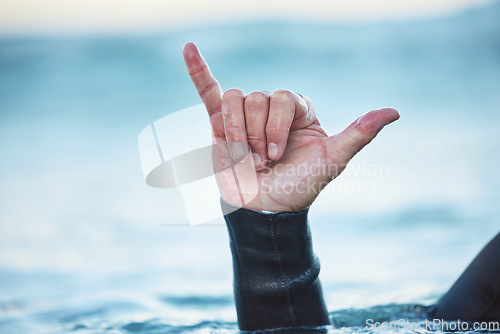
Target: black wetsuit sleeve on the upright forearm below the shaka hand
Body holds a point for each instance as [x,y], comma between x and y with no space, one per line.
[276,284]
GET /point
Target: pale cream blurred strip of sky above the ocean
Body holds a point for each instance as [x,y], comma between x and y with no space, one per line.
[63,16]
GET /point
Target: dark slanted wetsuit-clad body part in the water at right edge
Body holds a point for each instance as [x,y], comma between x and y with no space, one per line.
[475,296]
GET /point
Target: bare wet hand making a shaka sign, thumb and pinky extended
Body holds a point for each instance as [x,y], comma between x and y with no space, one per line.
[271,152]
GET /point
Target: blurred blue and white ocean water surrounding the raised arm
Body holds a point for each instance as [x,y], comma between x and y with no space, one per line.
[86,246]
